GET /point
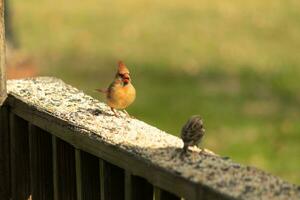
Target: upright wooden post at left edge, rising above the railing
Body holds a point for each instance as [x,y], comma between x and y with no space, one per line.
[2,55]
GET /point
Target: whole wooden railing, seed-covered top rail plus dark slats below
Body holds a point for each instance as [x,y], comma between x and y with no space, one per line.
[58,143]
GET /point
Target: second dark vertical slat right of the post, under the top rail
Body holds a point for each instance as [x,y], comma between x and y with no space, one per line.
[40,146]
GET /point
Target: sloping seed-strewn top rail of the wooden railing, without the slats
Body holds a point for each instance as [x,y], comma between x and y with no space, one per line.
[136,147]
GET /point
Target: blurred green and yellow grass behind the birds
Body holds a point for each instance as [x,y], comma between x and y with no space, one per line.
[234,62]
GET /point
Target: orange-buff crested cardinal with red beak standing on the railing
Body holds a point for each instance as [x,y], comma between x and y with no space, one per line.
[120,93]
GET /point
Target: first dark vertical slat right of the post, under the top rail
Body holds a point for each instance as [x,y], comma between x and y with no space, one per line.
[20,171]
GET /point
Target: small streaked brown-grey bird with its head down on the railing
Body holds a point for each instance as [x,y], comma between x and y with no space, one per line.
[192,132]
